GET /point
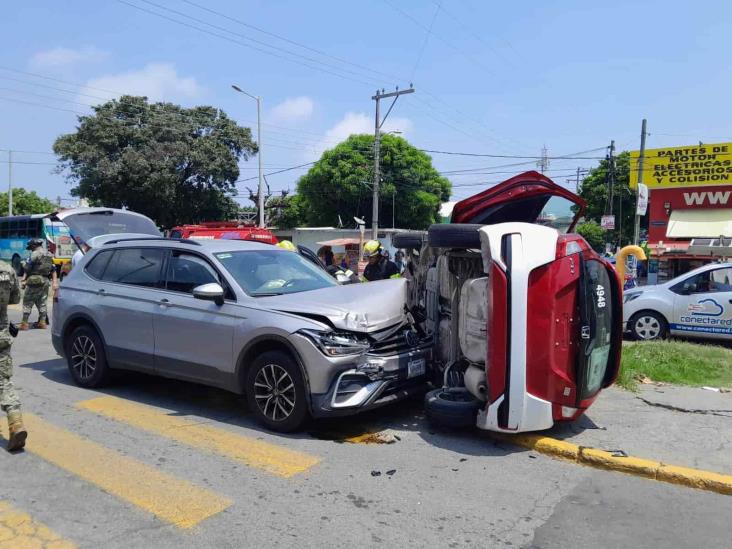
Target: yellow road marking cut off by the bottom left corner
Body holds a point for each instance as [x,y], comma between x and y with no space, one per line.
[18,530]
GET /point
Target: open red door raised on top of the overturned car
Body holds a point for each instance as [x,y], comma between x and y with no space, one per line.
[526,198]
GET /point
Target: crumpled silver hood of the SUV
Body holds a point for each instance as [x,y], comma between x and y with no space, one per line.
[366,307]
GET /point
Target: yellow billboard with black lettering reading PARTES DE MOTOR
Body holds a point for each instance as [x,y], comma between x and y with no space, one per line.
[686,166]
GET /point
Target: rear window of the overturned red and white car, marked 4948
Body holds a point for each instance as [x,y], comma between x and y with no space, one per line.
[597,319]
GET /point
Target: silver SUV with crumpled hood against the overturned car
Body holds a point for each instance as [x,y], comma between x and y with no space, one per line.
[246,317]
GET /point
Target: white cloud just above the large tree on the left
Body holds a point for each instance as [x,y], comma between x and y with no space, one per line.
[156,81]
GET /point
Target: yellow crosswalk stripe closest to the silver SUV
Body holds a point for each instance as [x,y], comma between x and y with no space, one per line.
[271,458]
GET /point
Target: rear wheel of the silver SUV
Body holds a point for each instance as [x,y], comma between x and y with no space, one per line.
[87,358]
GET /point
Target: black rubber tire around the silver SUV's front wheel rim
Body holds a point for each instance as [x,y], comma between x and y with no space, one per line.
[300,413]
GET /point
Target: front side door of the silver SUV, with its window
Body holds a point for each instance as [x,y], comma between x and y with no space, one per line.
[193,337]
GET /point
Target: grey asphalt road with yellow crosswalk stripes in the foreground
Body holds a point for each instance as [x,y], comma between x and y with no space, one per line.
[150,462]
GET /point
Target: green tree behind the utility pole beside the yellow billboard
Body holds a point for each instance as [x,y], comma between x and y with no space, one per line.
[595,190]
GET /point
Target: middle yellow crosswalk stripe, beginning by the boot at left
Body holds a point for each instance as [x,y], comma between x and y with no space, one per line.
[170,499]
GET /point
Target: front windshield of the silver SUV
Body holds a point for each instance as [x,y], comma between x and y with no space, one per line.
[274,272]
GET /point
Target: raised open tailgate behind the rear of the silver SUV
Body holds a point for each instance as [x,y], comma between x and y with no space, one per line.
[87,223]
